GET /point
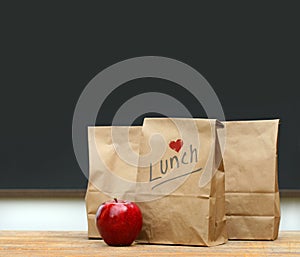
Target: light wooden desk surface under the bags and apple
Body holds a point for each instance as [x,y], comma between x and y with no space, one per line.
[44,243]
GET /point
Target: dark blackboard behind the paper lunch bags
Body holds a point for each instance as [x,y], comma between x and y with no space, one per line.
[247,50]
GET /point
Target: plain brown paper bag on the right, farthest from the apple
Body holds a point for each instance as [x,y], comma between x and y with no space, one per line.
[251,182]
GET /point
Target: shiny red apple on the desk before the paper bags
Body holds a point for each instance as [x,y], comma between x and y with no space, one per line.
[119,222]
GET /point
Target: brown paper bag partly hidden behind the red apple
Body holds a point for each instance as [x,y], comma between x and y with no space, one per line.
[108,171]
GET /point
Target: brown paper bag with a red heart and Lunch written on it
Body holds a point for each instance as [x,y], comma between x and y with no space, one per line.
[180,188]
